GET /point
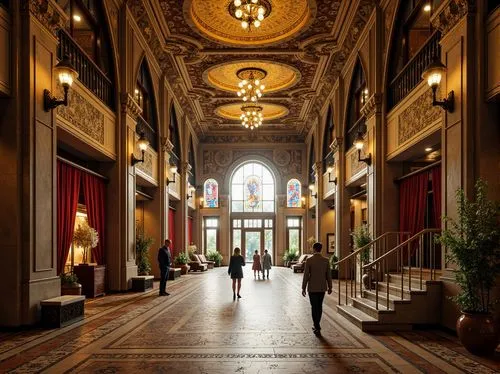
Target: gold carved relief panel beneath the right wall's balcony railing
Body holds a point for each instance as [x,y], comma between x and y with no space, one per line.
[419,114]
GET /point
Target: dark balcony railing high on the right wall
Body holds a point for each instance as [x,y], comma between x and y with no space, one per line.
[411,75]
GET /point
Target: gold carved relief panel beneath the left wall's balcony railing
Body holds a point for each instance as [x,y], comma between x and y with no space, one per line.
[83,115]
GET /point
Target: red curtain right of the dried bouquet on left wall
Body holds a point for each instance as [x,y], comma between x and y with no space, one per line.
[94,191]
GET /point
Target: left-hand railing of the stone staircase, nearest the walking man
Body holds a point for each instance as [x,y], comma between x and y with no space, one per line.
[353,271]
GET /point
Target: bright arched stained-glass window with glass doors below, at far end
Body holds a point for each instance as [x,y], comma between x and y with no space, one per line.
[253,209]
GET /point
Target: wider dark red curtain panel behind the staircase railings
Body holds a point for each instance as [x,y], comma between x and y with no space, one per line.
[412,201]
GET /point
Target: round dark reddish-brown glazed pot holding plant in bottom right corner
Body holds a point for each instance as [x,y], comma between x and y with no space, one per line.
[478,333]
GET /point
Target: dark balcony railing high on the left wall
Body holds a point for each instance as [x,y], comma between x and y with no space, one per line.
[88,72]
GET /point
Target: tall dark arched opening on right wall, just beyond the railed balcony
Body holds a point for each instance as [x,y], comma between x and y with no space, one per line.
[355,122]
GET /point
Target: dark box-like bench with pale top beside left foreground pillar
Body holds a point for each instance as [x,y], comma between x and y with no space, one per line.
[63,310]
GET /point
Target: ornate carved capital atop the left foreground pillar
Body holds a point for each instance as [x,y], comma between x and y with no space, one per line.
[50,15]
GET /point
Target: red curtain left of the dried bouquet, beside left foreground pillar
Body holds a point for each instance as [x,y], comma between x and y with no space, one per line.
[68,189]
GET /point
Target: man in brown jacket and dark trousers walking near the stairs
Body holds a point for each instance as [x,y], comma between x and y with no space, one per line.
[317,279]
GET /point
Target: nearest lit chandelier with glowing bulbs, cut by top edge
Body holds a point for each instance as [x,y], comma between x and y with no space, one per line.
[250,12]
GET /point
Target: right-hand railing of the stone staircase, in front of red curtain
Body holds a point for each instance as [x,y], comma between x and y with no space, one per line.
[409,253]
